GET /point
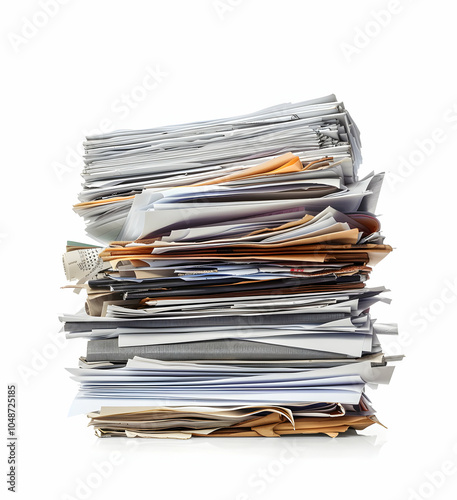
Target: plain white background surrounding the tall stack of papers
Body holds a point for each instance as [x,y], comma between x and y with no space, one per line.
[214,59]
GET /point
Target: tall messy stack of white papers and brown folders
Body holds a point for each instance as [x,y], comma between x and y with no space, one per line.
[232,298]
